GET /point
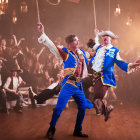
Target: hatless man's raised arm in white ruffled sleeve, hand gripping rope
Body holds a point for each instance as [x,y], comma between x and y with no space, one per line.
[44,39]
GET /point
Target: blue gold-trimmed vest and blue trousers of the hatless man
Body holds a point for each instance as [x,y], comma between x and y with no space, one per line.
[68,90]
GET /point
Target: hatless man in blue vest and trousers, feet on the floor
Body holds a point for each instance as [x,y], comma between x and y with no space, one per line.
[75,68]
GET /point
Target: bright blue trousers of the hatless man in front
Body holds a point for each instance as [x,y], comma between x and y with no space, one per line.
[66,92]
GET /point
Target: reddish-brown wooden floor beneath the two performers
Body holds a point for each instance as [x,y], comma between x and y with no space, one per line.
[32,124]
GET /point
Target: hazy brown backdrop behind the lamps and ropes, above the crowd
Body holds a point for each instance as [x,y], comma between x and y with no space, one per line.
[69,17]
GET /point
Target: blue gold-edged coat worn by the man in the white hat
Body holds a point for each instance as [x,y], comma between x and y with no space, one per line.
[110,57]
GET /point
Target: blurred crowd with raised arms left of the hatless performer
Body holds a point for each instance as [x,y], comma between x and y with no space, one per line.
[39,68]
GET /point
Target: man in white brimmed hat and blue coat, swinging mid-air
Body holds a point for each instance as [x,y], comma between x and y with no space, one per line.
[101,68]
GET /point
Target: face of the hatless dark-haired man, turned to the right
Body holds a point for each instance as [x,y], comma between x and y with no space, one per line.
[74,44]
